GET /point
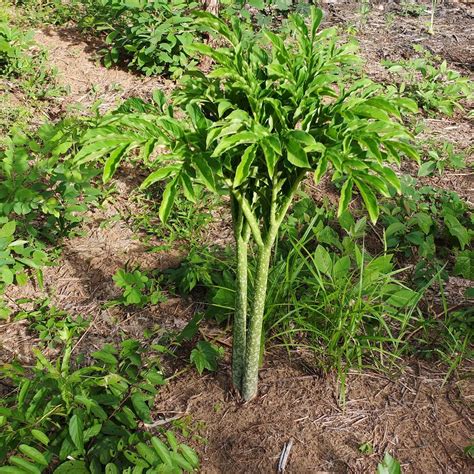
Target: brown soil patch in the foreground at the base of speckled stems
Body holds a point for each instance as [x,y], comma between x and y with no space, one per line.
[422,423]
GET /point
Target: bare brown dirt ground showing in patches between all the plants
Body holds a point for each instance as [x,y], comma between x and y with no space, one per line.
[413,415]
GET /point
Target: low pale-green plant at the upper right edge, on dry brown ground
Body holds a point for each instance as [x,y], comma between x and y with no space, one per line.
[428,80]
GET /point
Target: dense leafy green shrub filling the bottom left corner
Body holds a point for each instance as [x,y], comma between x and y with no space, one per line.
[88,419]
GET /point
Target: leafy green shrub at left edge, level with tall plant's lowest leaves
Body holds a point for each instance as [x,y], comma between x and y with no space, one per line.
[42,189]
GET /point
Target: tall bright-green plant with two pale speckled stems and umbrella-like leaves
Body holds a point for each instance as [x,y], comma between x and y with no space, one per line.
[268,114]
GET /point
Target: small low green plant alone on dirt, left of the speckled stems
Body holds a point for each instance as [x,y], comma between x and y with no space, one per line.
[138,288]
